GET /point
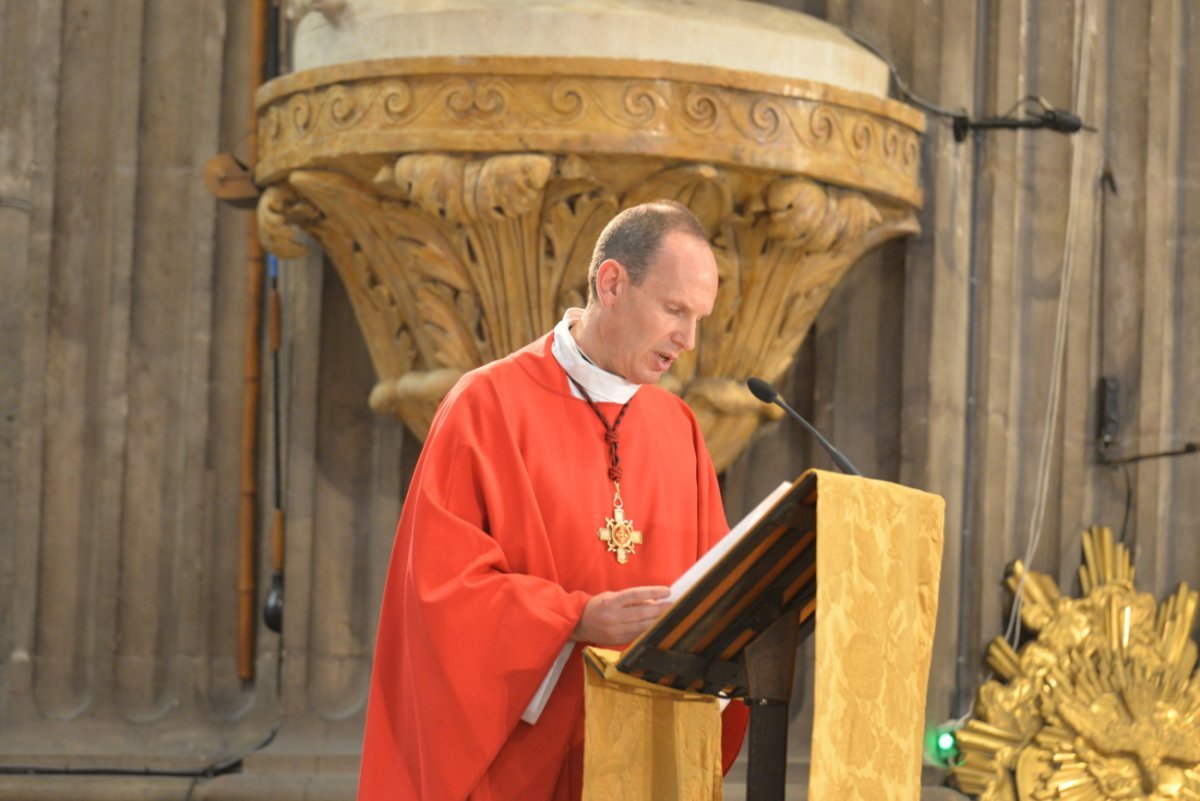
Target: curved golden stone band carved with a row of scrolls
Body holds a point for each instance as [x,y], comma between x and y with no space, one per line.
[590,106]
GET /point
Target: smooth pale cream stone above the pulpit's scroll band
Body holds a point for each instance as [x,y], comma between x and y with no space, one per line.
[727,34]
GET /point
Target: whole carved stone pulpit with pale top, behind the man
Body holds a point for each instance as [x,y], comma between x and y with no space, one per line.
[458,159]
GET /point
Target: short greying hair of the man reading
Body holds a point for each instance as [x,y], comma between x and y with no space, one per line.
[634,238]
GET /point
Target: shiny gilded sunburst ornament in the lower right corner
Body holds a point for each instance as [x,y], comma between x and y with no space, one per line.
[1103,706]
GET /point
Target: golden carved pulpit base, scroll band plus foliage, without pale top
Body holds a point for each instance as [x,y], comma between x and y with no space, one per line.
[461,210]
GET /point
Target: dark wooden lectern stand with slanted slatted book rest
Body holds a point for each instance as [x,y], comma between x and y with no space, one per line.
[736,631]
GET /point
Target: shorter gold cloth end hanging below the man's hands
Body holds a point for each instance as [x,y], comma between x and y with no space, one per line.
[643,742]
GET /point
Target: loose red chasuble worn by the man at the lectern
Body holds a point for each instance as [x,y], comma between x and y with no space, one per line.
[496,557]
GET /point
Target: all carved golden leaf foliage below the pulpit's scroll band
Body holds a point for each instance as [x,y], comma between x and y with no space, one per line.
[452,262]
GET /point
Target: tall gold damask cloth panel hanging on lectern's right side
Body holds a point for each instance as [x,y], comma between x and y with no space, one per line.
[879,561]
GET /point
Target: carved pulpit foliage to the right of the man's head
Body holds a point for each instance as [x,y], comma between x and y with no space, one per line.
[781,251]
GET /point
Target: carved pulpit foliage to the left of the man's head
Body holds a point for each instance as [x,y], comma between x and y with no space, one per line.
[451,262]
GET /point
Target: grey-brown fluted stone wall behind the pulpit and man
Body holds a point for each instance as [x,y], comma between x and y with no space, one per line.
[122,299]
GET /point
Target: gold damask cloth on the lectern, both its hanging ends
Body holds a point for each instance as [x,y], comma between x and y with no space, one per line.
[879,562]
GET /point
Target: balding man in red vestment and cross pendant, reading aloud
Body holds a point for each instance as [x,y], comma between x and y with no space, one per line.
[500,562]
